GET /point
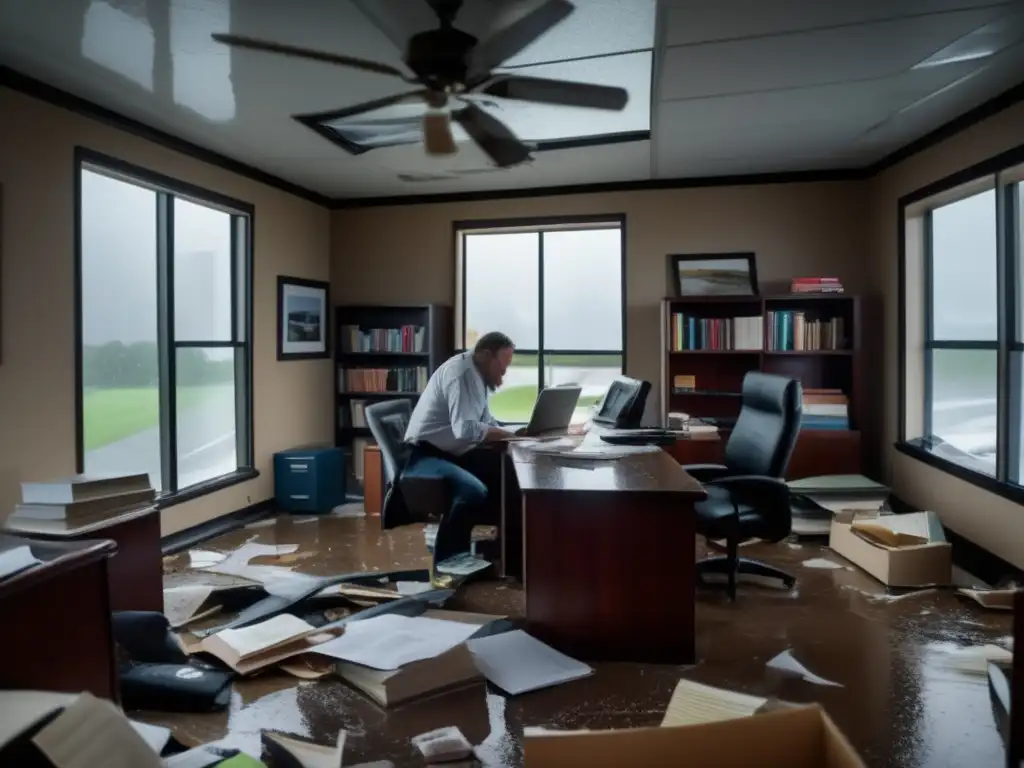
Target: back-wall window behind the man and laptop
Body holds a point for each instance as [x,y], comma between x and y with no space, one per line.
[558,290]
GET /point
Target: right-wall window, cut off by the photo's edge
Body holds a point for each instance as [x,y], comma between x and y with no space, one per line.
[963,330]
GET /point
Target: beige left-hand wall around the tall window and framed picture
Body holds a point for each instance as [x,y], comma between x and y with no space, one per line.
[37,372]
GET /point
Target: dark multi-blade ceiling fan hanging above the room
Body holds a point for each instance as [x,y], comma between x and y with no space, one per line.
[456,73]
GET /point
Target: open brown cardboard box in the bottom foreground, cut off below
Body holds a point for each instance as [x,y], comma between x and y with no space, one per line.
[801,738]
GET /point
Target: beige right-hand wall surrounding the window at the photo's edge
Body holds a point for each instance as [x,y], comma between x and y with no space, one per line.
[988,520]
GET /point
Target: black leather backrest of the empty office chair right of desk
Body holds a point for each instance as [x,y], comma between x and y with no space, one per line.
[762,442]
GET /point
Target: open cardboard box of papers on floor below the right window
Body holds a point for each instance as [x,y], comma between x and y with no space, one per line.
[922,557]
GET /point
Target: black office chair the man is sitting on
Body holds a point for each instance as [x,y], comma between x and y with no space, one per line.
[419,499]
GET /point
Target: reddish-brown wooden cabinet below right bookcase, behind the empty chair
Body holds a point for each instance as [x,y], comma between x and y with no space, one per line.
[819,452]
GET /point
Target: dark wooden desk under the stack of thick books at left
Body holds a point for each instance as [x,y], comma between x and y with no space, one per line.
[137,572]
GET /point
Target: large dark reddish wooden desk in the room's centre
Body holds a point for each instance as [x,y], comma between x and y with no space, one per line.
[609,554]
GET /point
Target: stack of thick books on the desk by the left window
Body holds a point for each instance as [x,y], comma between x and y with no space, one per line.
[75,502]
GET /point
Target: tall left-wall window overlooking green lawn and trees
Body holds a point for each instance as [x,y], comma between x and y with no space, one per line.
[165,325]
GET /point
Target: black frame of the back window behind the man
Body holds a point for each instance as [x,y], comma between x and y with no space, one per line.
[540,226]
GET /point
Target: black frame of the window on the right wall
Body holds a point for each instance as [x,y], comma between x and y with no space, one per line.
[1010,339]
